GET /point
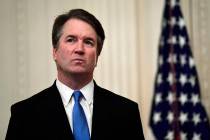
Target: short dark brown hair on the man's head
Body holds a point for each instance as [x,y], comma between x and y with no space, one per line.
[81,15]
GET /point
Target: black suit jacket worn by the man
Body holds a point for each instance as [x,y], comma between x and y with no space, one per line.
[43,117]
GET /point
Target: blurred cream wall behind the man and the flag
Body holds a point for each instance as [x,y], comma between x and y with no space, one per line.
[128,61]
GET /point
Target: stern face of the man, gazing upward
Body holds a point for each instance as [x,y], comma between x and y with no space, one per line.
[77,48]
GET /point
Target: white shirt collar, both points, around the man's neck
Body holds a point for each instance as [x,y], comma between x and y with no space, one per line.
[66,92]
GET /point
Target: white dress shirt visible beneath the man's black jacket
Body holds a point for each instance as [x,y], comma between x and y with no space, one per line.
[86,102]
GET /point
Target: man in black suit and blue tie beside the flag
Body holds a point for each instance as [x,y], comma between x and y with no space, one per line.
[77,39]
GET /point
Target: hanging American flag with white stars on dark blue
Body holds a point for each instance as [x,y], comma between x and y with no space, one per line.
[177,112]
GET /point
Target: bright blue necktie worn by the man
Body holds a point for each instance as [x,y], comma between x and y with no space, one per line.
[80,126]
